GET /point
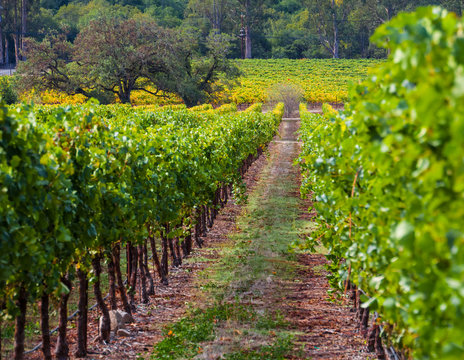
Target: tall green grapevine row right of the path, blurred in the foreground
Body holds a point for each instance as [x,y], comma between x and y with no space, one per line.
[387,176]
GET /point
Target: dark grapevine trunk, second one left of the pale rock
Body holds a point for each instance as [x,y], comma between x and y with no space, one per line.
[82,306]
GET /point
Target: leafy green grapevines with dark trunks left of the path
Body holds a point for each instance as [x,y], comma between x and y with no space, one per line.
[80,184]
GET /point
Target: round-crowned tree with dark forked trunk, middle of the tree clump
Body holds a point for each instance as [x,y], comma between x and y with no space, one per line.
[118,56]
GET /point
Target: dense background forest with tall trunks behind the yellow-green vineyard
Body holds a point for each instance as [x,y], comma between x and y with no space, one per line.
[259,28]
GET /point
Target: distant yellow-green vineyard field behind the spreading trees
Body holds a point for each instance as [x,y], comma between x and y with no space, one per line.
[321,80]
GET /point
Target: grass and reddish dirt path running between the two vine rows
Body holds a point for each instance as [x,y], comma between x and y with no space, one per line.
[246,294]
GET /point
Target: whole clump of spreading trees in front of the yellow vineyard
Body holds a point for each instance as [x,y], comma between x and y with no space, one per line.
[116,57]
